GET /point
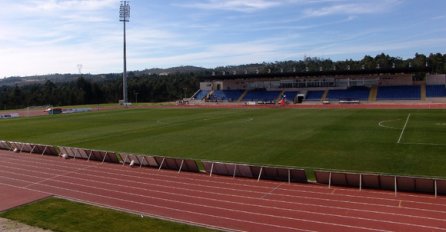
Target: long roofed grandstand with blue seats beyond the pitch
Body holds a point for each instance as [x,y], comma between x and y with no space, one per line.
[354,85]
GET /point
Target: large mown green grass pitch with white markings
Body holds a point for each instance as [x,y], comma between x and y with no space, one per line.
[350,139]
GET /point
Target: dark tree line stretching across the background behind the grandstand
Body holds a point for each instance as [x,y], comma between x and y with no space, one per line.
[147,87]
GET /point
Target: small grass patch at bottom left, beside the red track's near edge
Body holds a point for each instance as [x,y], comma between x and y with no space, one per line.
[65,216]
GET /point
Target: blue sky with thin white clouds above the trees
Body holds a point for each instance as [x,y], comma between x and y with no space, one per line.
[54,36]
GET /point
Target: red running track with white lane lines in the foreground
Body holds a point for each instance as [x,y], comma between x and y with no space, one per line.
[223,202]
